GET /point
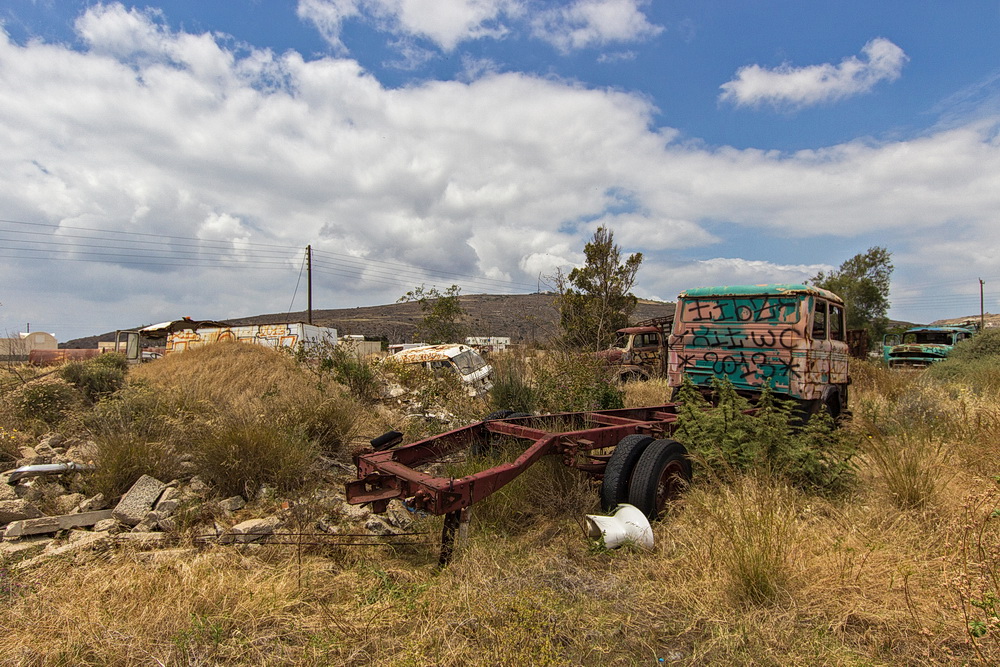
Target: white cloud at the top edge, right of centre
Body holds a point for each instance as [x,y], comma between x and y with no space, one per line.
[589,23]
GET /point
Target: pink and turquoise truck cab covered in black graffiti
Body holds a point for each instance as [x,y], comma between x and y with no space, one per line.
[791,337]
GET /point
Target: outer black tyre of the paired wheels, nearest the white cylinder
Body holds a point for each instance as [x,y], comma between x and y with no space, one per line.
[660,475]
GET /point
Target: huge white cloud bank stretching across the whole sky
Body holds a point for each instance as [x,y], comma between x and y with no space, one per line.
[503,176]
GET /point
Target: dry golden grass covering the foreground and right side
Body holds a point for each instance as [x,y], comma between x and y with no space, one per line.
[748,573]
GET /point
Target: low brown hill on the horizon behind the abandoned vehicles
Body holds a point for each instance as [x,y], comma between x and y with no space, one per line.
[524,318]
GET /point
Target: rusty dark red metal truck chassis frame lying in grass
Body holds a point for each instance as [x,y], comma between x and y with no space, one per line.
[392,474]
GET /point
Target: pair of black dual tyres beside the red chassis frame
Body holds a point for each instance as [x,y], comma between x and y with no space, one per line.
[646,473]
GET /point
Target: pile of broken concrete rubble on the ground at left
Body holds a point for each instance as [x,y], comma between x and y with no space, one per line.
[47,515]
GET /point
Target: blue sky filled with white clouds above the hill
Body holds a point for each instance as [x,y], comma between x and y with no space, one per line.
[176,158]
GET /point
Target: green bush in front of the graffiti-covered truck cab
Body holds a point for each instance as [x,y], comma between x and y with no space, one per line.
[725,439]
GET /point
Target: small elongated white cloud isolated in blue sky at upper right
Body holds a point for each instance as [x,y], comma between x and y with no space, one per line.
[816,84]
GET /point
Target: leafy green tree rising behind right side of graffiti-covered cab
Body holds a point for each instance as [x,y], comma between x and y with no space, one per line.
[863,283]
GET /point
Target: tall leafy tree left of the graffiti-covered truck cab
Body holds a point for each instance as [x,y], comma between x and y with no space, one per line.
[595,300]
